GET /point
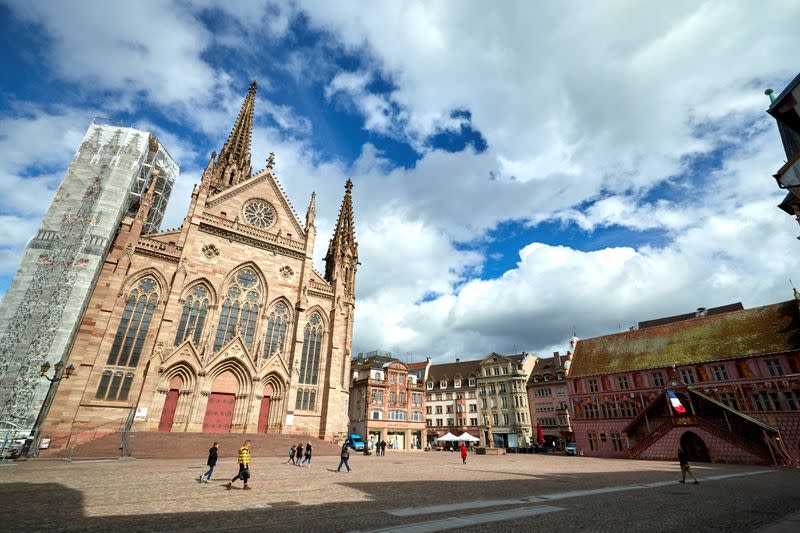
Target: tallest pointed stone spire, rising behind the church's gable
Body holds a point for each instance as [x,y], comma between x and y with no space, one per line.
[233,164]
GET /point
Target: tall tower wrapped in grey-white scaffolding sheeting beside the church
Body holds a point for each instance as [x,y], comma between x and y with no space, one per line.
[43,306]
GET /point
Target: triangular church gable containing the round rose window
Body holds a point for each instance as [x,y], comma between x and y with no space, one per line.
[258,202]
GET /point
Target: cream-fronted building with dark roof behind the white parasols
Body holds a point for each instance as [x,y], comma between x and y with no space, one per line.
[451,391]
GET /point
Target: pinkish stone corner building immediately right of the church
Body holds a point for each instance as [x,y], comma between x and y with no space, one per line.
[387,403]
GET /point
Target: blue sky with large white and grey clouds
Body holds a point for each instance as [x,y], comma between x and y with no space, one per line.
[520,172]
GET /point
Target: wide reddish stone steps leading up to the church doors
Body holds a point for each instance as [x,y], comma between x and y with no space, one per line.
[162,445]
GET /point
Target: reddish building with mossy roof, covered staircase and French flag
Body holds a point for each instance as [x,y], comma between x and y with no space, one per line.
[723,385]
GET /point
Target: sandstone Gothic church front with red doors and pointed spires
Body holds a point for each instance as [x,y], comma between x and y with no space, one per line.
[222,325]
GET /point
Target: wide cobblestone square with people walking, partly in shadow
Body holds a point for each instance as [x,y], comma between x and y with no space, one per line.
[399,492]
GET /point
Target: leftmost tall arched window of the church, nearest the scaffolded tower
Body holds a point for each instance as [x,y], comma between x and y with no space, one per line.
[135,322]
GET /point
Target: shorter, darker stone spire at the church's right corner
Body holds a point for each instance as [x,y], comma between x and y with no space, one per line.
[342,256]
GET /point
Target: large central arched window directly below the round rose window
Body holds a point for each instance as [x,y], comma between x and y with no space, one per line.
[239,309]
